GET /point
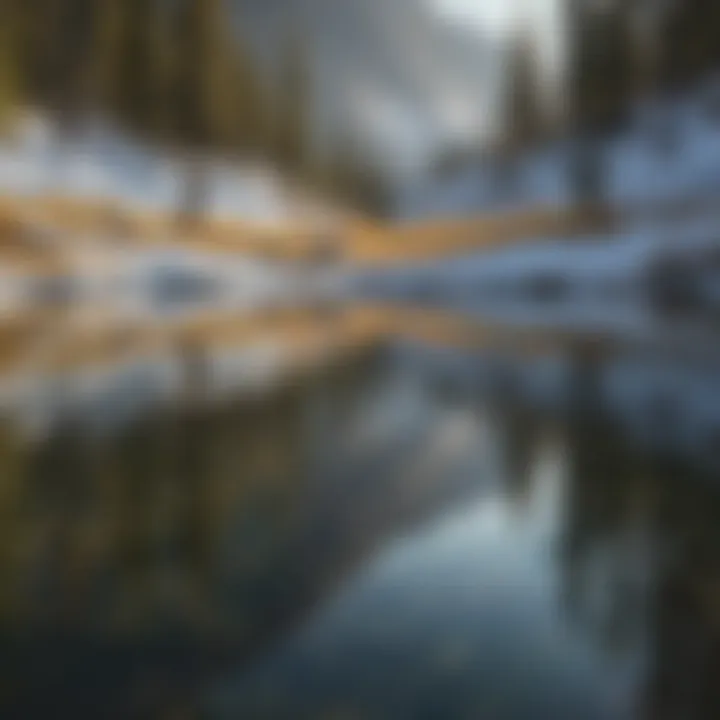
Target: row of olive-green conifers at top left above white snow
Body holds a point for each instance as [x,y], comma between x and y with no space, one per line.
[175,74]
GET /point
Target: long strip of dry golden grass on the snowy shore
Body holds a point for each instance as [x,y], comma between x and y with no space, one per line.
[357,239]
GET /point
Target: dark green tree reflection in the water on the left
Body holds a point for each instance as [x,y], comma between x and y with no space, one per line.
[134,560]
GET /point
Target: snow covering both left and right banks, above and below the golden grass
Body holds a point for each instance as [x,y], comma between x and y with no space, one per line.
[591,281]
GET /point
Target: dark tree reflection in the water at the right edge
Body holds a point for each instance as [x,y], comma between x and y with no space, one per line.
[641,551]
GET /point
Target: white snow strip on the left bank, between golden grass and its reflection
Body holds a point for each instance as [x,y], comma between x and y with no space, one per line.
[160,286]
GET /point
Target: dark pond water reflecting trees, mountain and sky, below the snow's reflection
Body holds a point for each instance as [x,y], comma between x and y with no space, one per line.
[413,534]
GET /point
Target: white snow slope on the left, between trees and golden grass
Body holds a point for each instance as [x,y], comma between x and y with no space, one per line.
[99,162]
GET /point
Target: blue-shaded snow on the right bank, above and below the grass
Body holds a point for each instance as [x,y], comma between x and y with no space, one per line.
[669,158]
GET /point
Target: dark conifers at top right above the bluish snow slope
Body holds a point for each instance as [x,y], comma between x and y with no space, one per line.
[618,56]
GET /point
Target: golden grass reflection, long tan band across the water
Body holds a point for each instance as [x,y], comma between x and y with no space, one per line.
[55,341]
